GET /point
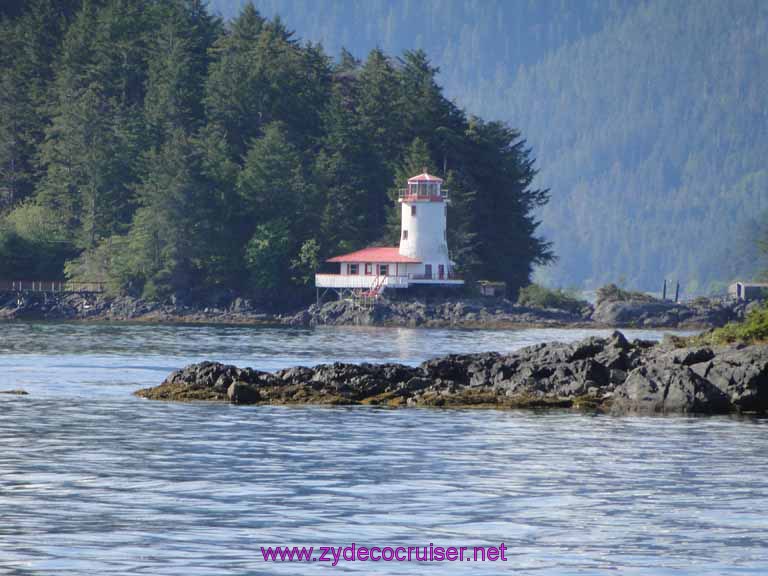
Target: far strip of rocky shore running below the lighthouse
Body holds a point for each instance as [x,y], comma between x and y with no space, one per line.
[458,312]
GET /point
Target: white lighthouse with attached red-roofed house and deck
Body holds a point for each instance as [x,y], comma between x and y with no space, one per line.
[422,257]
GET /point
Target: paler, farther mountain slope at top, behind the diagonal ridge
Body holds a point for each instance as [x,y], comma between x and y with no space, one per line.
[474,42]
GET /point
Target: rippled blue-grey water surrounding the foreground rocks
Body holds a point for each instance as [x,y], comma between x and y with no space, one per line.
[95,481]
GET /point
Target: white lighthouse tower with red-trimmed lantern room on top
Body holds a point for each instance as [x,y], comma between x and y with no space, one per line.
[423,225]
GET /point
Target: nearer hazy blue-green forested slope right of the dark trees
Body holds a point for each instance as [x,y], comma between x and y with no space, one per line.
[653,136]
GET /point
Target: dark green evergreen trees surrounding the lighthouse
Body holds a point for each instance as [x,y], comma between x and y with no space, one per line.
[150,145]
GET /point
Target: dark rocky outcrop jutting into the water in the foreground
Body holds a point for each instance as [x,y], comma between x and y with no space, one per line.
[609,375]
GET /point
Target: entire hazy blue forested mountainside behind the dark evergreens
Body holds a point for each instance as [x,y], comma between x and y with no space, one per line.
[648,118]
